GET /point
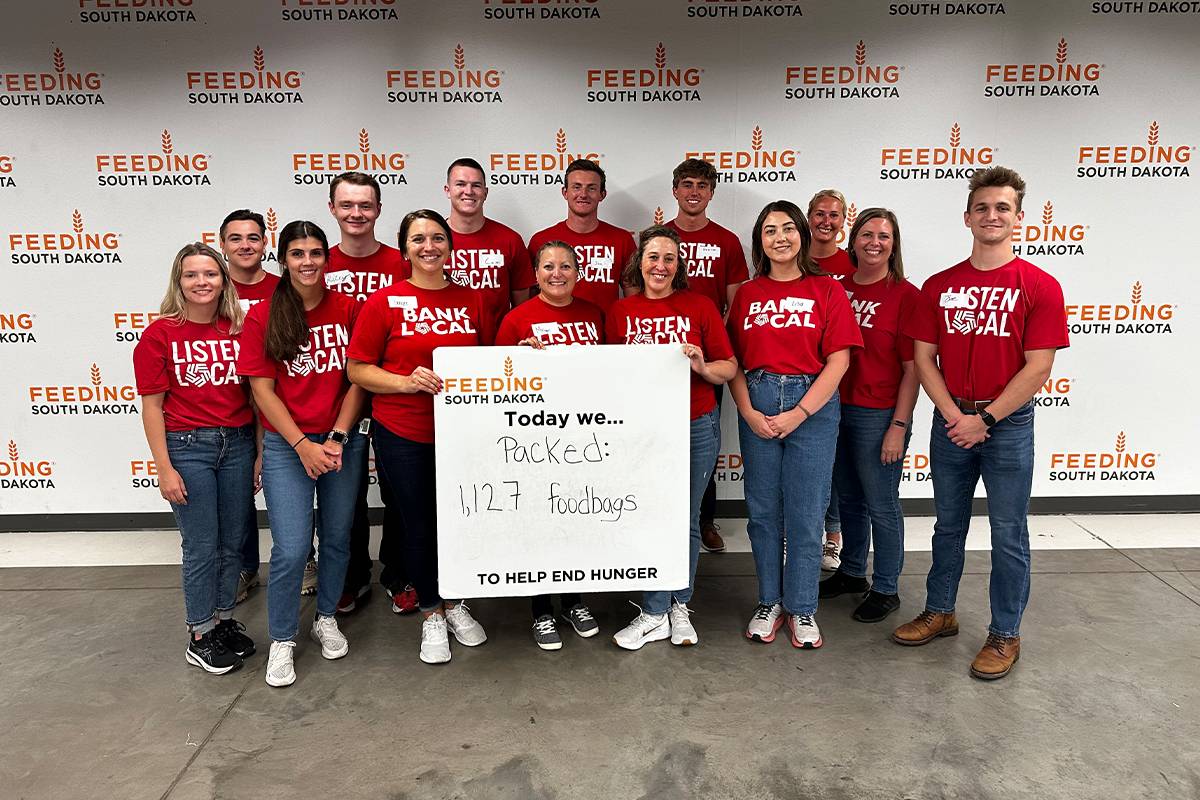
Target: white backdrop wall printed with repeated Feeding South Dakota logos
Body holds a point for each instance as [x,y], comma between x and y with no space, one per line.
[131,128]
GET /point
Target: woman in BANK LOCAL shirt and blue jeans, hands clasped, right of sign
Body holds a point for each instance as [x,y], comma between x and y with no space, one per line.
[793,330]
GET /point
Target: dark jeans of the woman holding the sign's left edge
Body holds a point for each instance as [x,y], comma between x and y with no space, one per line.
[409,467]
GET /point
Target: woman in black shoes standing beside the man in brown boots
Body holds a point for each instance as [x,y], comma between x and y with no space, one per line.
[878,396]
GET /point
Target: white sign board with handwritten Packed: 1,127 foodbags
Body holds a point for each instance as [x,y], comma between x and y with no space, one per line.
[562,471]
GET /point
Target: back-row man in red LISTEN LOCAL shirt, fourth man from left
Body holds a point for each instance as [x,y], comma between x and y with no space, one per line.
[602,250]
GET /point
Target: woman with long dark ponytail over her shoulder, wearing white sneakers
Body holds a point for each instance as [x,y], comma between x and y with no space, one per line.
[295,353]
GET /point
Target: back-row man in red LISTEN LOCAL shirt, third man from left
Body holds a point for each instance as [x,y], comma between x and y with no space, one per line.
[487,256]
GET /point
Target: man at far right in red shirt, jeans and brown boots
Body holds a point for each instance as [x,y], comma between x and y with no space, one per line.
[986,333]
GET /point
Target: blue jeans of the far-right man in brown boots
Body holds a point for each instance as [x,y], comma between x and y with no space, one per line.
[1006,464]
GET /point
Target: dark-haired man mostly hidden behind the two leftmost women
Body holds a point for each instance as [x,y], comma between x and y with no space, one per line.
[244,244]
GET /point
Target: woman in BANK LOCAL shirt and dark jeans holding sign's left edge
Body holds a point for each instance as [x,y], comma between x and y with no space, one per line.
[392,356]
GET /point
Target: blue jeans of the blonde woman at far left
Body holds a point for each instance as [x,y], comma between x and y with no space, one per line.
[218,467]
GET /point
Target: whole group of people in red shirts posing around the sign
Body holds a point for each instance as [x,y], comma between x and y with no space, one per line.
[253,382]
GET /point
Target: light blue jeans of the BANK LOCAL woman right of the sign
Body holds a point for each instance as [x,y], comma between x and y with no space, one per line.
[787,484]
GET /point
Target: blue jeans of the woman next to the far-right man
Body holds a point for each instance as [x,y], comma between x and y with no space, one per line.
[869,496]
